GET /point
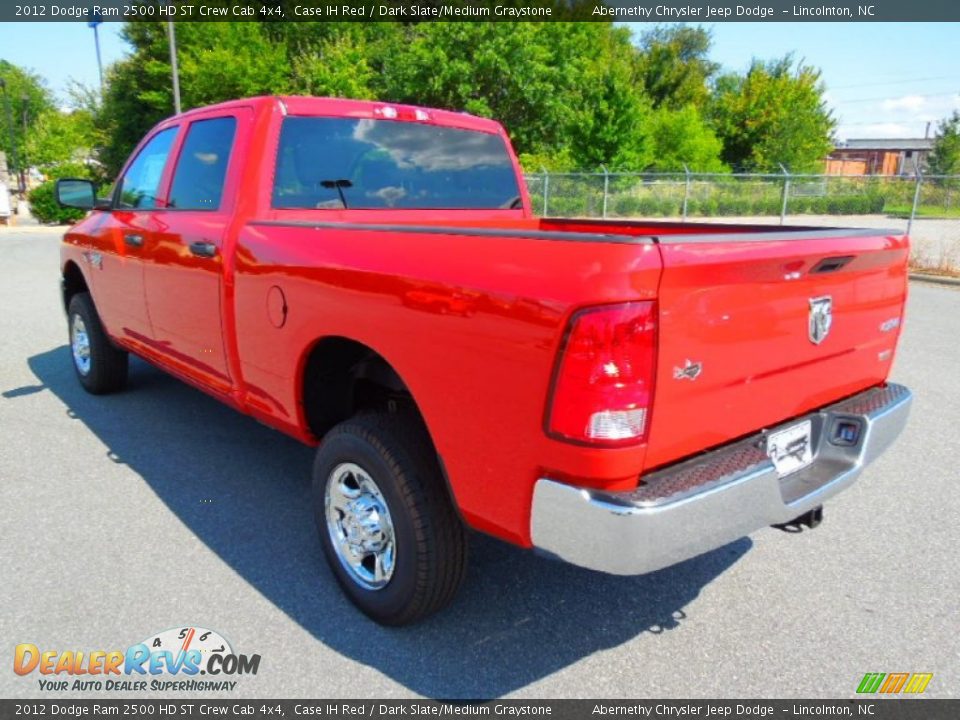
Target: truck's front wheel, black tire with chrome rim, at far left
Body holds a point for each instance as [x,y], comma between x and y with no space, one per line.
[106,369]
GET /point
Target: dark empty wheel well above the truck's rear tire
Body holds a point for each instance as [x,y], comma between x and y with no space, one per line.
[343,377]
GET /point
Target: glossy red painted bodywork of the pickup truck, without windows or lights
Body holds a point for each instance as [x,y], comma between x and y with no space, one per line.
[472,322]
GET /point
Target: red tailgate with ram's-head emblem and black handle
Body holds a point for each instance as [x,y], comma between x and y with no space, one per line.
[759,328]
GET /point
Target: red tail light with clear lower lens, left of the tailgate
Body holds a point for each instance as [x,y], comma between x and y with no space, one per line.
[603,384]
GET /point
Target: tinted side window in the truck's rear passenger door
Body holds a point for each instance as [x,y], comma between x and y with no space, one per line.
[202,165]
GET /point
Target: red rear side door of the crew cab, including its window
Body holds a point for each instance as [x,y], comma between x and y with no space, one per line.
[184,274]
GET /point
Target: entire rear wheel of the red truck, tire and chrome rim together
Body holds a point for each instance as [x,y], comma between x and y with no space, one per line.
[385,518]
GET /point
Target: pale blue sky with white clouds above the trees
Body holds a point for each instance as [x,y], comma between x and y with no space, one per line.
[882,79]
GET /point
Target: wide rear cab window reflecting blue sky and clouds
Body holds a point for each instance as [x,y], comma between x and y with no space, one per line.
[332,163]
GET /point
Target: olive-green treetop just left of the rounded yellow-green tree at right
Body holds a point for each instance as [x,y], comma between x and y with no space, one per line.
[673,65]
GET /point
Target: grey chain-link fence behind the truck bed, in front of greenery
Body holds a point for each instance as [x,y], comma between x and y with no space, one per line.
[928,207]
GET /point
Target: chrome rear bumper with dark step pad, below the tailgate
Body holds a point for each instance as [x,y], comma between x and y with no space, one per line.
[706,502]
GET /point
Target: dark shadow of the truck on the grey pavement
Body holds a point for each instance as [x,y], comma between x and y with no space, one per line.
[243,489]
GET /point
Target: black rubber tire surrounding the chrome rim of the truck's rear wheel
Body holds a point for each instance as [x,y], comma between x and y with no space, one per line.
[430,551]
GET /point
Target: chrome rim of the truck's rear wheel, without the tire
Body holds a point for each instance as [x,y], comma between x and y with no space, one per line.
[360,527]
